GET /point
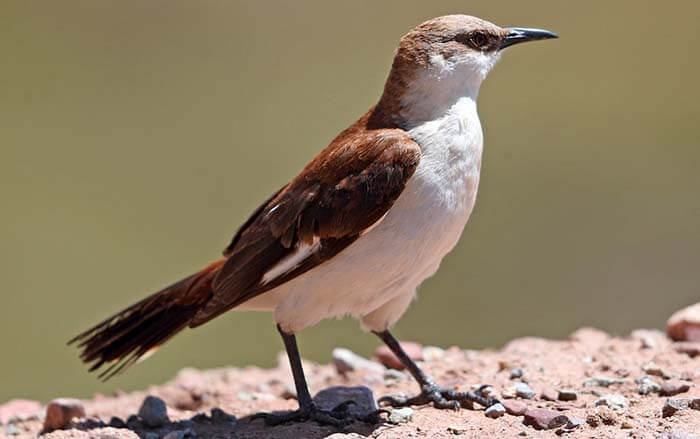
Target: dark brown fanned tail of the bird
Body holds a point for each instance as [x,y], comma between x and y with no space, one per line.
[141,328]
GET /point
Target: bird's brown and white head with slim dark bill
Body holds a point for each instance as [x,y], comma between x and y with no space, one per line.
[449,57]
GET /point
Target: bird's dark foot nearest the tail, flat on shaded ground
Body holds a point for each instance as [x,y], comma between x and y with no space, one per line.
[338,417]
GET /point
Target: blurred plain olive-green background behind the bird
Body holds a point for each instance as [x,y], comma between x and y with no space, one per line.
[136,136]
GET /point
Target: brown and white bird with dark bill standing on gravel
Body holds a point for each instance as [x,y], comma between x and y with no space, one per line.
[357,231]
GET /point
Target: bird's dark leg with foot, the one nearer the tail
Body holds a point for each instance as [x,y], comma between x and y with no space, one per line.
[340,416]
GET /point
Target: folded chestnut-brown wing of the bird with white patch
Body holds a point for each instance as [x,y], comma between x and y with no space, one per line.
[340,194]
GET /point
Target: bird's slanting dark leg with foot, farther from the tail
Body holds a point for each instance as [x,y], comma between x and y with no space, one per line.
[441,398]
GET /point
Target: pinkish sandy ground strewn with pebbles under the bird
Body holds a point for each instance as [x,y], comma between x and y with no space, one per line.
[589,366]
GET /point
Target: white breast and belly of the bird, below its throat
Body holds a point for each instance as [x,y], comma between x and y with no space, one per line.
[376,277]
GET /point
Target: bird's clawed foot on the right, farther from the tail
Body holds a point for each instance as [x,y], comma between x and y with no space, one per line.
[441,398]
